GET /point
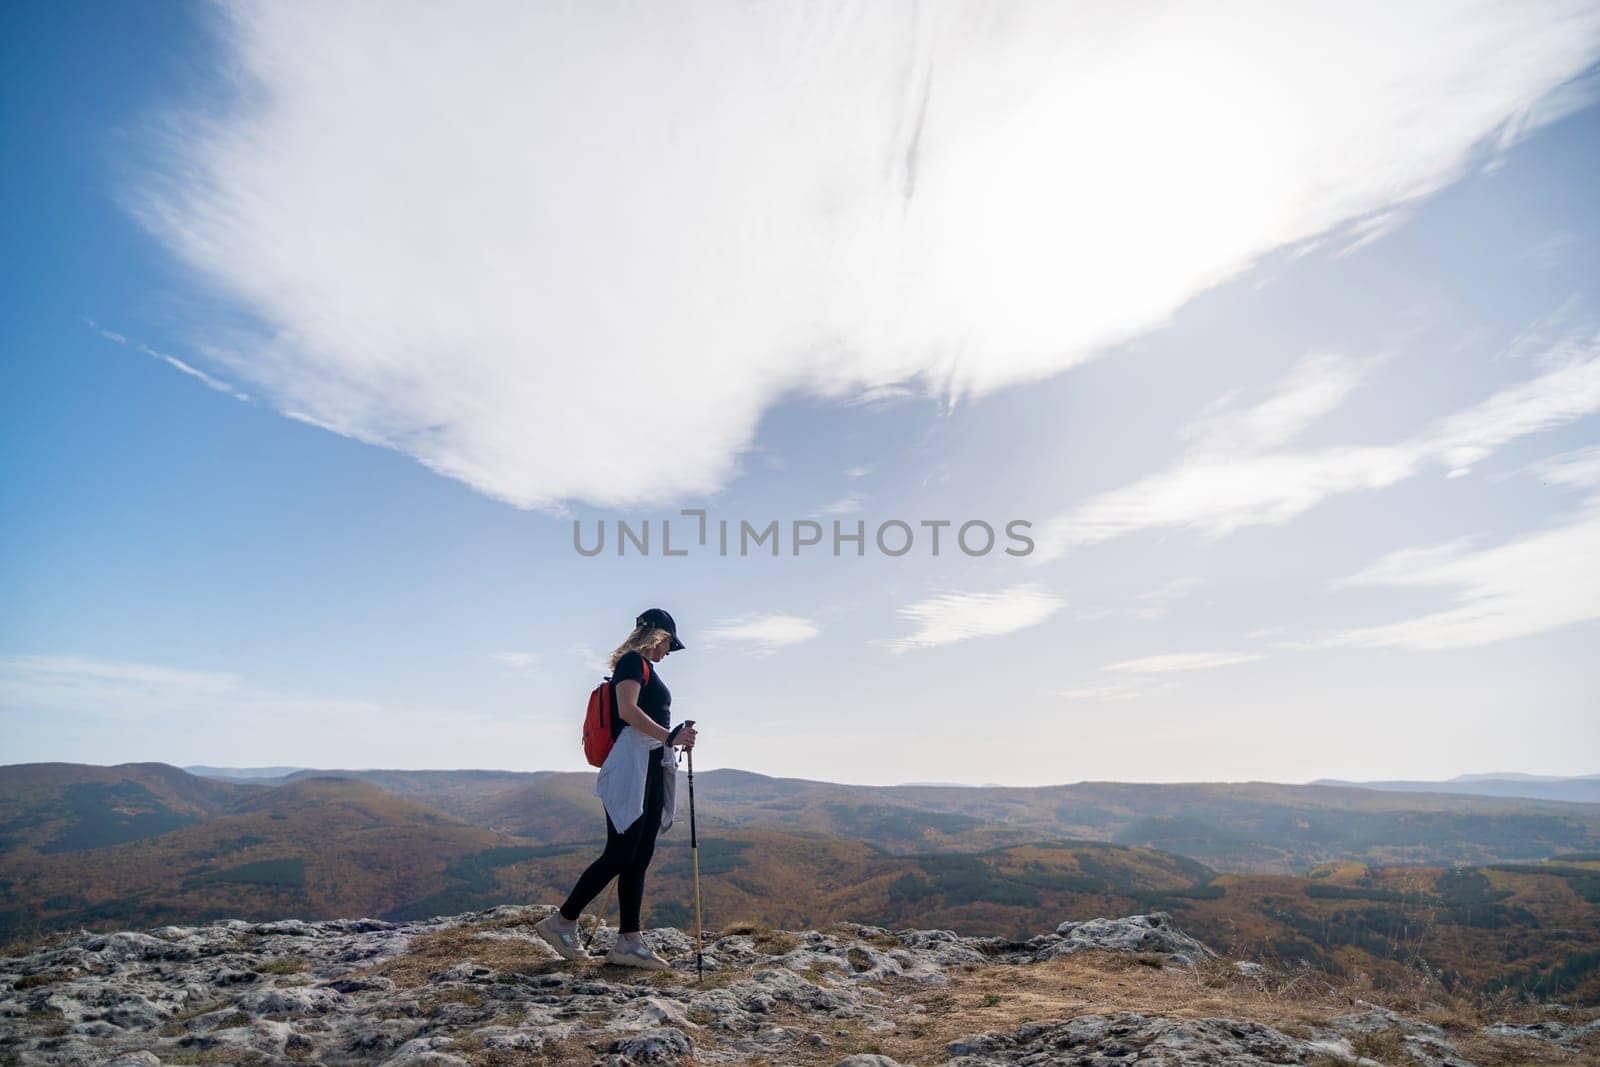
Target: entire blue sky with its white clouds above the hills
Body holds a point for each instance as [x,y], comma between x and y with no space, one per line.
[322,332]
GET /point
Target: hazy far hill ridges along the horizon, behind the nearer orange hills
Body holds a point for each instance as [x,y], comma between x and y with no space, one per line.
[1244,828]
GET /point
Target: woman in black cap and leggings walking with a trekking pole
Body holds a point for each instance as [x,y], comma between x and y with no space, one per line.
[639,789]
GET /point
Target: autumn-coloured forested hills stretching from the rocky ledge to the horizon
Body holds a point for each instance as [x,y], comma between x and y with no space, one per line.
[1335,876]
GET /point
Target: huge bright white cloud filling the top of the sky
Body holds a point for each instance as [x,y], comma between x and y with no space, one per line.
[457,228]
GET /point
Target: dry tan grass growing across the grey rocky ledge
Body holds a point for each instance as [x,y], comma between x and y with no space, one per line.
[1002,997]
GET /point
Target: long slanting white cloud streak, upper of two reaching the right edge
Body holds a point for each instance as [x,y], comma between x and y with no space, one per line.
[1215,492]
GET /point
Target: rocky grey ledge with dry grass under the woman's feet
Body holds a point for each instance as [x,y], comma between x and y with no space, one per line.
[484,989]
